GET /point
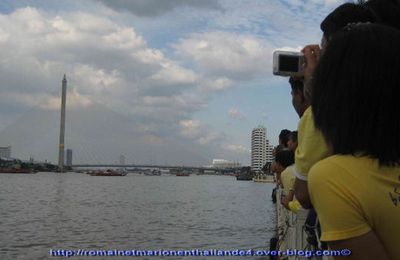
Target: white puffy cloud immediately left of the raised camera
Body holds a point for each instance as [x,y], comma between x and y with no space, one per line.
[226,55]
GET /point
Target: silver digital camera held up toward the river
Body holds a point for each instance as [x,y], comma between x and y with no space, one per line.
[288,63]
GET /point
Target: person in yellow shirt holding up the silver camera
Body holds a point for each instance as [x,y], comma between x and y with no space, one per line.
[312,147]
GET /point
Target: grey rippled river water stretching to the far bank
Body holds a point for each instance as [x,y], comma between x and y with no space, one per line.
[45,211]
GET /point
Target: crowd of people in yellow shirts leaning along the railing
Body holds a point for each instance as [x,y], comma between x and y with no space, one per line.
[343,163]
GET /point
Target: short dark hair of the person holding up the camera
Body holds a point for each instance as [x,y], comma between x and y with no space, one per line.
[345,14]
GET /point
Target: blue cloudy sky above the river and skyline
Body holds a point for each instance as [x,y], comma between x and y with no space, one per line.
[159,81]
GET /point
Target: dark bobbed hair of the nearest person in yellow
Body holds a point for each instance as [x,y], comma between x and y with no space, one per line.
[356,92]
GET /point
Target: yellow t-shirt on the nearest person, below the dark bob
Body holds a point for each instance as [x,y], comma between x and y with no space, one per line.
[353,195]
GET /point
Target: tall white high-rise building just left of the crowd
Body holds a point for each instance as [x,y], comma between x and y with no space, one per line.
[261,150]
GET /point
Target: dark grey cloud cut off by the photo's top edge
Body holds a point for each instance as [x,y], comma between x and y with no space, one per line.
[156,7]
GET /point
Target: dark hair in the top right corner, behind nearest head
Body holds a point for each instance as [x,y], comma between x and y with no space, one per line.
[388,11]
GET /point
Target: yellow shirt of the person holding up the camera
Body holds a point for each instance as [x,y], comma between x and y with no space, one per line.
[311,145]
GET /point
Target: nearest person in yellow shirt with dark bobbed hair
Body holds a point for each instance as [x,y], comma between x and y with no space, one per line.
[356,191]
